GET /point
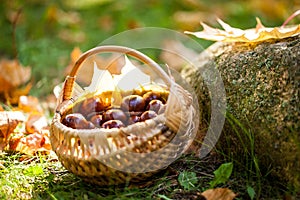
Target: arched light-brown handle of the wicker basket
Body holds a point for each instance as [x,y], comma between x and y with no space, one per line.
[69,82]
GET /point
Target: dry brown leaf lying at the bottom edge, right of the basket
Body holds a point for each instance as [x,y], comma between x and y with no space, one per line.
[219,194]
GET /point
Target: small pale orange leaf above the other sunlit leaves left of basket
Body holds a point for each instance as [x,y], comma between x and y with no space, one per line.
[29,104]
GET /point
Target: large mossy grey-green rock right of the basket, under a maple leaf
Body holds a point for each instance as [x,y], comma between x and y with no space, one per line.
[262,82]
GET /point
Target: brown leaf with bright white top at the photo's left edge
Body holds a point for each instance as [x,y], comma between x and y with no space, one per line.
[8,122]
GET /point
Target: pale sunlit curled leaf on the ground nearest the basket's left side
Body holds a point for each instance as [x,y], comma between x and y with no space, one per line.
[36,123]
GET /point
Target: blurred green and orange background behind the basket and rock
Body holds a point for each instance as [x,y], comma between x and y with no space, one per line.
[42,33]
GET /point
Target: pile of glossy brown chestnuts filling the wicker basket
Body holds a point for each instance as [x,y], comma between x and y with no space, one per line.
[98,112]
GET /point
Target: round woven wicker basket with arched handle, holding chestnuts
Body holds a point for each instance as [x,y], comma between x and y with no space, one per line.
[132,153]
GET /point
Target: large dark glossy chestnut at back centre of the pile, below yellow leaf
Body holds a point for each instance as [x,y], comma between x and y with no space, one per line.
[133,103]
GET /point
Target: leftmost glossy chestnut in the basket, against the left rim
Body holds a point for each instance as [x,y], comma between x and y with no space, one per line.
[77,121]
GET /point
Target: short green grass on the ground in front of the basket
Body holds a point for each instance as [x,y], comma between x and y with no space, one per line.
[42,178]
